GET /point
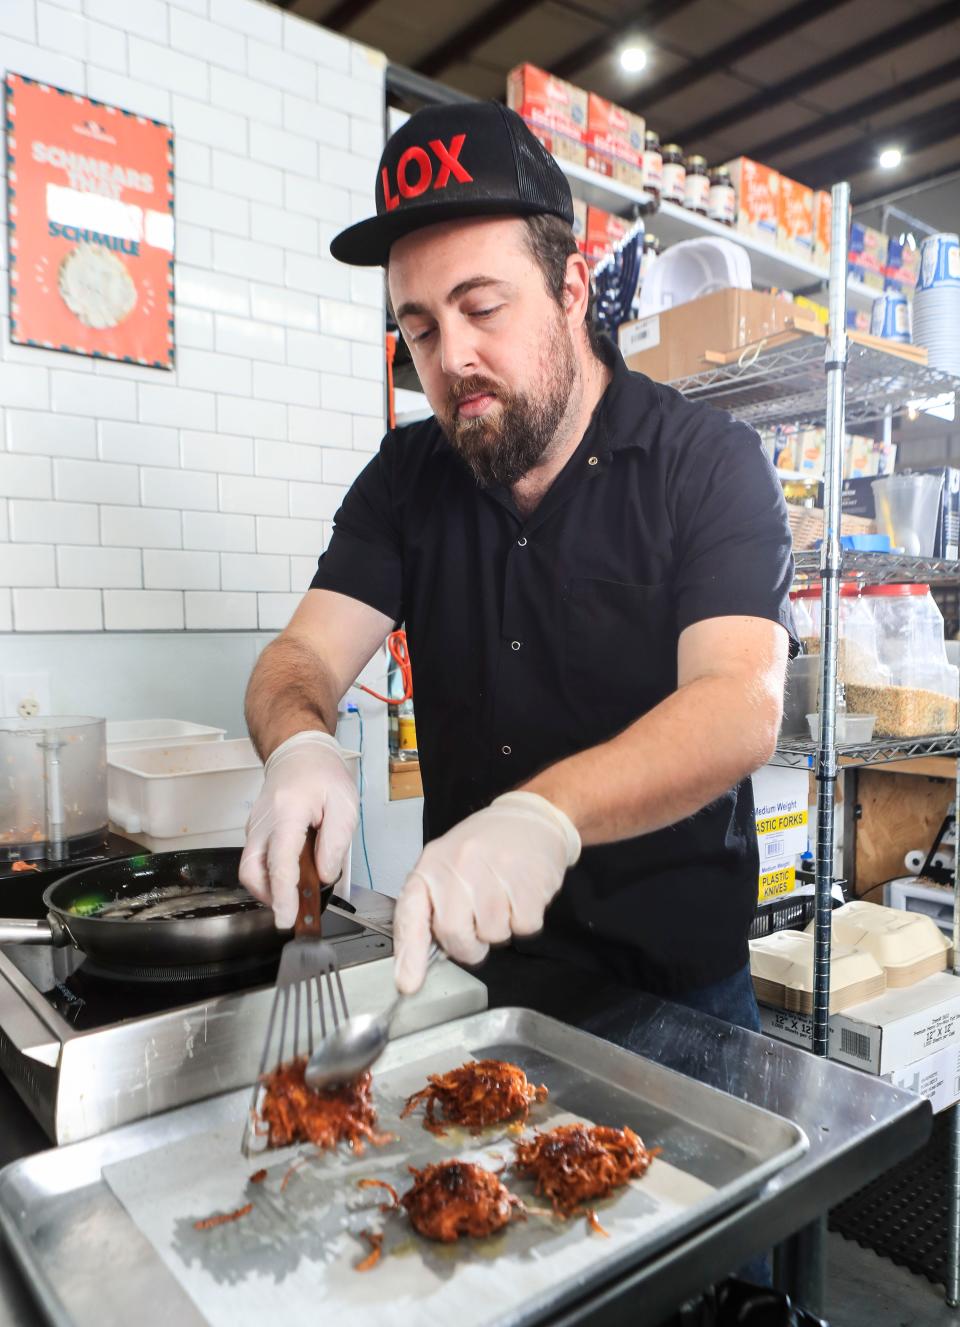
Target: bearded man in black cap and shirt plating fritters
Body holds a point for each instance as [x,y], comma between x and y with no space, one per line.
[594,579]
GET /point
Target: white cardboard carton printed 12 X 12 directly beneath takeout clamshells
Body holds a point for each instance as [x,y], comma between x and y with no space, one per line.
[886,1034]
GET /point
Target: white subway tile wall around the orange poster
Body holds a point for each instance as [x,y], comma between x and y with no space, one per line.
[135,500]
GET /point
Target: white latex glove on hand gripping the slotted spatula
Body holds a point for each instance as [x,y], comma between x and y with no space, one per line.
[306,784]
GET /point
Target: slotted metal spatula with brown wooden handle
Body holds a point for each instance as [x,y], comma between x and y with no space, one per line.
[309,975]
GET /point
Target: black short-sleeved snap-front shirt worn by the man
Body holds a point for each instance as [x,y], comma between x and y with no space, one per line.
[534,639]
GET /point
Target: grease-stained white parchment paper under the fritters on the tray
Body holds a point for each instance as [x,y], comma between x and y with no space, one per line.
[294,1256]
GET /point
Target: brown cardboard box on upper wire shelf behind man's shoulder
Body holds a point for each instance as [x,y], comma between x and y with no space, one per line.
[671,344]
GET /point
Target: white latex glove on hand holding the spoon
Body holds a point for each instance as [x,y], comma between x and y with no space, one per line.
[488,879]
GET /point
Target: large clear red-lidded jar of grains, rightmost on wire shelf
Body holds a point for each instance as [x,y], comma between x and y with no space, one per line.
[921,697]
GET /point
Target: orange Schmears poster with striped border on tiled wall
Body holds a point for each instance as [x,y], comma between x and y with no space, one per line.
[91,202]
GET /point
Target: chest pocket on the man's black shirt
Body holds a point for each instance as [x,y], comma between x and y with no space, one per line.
[621,652]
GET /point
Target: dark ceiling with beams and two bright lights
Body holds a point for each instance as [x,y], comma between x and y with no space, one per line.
[815,88]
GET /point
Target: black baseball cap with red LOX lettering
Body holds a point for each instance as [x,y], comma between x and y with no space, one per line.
[468,160]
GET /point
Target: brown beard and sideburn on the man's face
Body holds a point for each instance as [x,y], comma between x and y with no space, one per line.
[505,444]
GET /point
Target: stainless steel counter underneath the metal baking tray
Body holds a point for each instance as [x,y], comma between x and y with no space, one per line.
[857,1126]
